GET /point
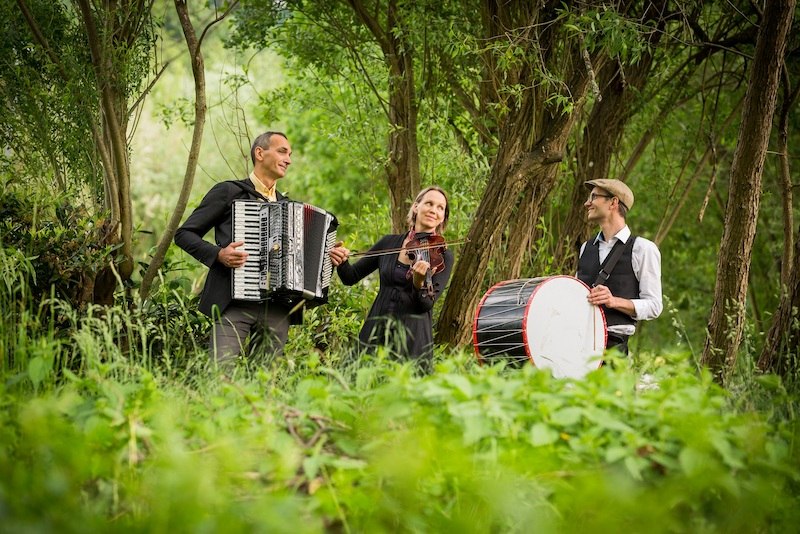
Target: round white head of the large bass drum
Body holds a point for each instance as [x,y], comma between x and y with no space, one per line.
[563,332]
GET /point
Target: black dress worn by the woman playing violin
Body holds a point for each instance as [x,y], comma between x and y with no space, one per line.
[401,316]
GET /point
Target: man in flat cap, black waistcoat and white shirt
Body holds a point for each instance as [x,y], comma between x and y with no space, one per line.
[623,270]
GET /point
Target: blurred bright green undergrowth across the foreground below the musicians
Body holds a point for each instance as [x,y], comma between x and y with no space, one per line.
[369,445]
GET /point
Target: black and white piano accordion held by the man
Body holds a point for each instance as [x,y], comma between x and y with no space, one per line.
[287,244]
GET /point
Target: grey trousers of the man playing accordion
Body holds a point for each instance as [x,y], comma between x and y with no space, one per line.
[242,324]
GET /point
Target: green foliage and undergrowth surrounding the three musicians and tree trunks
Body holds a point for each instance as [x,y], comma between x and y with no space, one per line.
[113,418]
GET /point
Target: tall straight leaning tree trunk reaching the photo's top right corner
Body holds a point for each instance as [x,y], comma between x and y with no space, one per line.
[726,323]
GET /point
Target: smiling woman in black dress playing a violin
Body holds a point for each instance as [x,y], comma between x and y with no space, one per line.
[412,276]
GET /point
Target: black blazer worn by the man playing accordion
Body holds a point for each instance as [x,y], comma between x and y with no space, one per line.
[215,211]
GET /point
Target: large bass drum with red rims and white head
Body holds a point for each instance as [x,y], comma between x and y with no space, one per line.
[546,321]
